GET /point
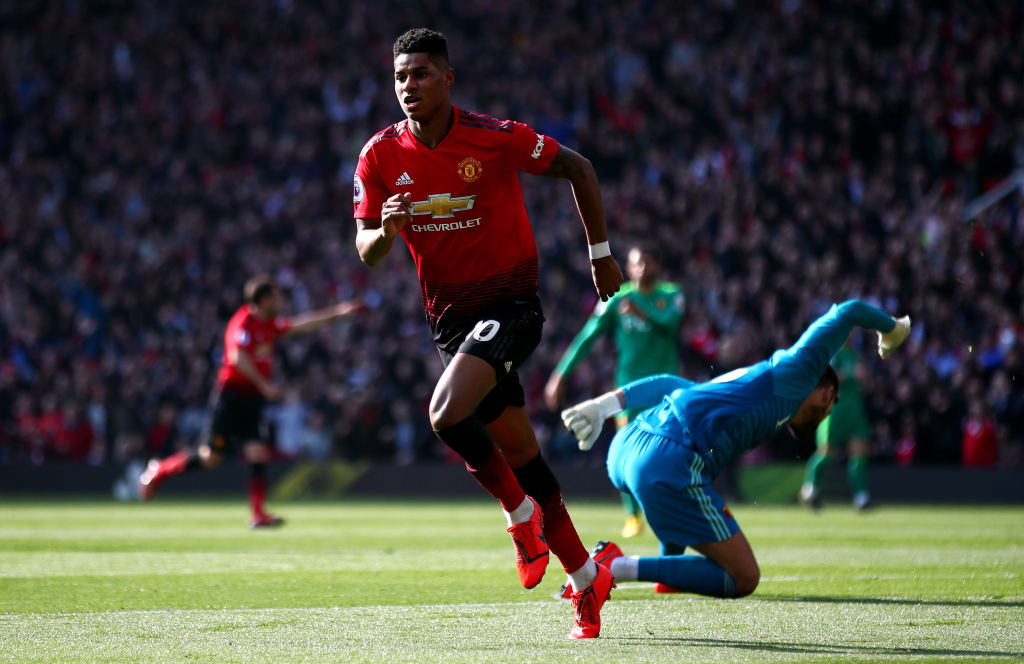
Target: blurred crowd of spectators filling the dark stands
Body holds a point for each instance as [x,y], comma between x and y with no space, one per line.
[785,155]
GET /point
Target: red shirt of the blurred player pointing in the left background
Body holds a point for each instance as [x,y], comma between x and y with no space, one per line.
[255,337]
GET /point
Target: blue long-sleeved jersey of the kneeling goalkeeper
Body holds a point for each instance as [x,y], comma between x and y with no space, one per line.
[728,417]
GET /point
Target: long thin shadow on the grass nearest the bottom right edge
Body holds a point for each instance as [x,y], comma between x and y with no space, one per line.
[807,649]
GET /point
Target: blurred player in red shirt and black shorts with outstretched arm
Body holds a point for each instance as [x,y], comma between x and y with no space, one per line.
[244,387]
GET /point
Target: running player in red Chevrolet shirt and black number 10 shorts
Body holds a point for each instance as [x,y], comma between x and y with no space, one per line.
[447,181]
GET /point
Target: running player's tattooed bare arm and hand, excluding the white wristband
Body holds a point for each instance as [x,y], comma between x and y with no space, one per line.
[580,173]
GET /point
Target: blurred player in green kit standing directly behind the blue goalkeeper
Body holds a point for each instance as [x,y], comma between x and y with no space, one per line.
[645,317]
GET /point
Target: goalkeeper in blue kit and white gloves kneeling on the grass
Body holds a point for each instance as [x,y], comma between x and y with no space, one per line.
[669,455]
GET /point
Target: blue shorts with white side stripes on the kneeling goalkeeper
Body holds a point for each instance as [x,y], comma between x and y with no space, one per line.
[672,484]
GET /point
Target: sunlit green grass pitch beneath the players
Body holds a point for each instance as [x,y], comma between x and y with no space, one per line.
[434,582]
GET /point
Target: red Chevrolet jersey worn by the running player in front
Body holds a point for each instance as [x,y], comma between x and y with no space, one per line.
[471,237]
